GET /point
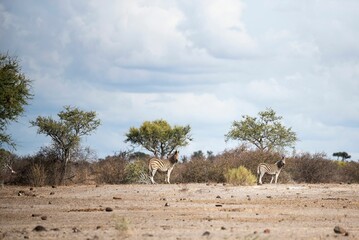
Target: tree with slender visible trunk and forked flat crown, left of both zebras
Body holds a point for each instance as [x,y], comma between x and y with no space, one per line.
[66,133]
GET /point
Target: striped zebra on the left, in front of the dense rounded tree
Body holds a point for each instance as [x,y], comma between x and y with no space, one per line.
[162,165]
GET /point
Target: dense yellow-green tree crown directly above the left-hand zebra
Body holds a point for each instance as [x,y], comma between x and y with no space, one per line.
[159,137]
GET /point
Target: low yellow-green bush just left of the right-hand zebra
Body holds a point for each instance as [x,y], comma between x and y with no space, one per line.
[240,176]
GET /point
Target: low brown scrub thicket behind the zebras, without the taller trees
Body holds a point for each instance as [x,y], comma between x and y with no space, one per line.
[44,167]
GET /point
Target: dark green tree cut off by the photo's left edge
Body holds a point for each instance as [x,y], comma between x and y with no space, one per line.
[14,95]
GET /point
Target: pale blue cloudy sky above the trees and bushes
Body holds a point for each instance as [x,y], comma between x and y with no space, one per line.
[203,63]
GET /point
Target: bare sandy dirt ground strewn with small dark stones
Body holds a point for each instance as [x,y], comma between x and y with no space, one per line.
[180,211]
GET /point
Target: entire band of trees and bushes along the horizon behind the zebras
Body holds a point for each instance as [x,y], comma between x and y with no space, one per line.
[264,138]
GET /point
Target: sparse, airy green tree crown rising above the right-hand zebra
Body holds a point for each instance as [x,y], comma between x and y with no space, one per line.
[266,132]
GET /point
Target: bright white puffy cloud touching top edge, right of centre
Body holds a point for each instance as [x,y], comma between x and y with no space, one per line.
[217,28]
